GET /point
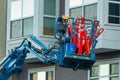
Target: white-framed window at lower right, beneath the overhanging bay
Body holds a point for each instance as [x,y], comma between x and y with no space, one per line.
[105,72]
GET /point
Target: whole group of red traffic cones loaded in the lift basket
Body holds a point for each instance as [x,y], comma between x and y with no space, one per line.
[81,38]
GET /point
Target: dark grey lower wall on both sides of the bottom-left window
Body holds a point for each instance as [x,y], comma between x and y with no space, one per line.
[60,73]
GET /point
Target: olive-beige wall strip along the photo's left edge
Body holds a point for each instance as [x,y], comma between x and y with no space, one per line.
[3,24]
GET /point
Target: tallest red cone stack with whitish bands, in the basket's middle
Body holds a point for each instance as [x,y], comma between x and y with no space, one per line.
[82,38]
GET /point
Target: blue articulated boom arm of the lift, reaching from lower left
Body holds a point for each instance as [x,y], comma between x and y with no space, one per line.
[14,62]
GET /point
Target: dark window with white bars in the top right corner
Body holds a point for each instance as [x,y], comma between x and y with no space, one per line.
[114,12]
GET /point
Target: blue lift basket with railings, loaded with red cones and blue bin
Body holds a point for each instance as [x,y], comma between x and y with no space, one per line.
[77,42]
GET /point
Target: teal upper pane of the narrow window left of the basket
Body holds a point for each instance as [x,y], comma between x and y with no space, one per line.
[50,7]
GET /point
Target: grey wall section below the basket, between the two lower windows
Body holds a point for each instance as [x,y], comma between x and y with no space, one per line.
[69,74]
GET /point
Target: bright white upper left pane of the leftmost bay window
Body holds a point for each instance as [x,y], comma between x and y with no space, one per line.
[16,9]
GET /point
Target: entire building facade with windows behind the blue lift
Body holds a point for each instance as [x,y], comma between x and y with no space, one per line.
[19,19]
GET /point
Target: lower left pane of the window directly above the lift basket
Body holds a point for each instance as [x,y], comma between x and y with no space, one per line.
[76,12]
